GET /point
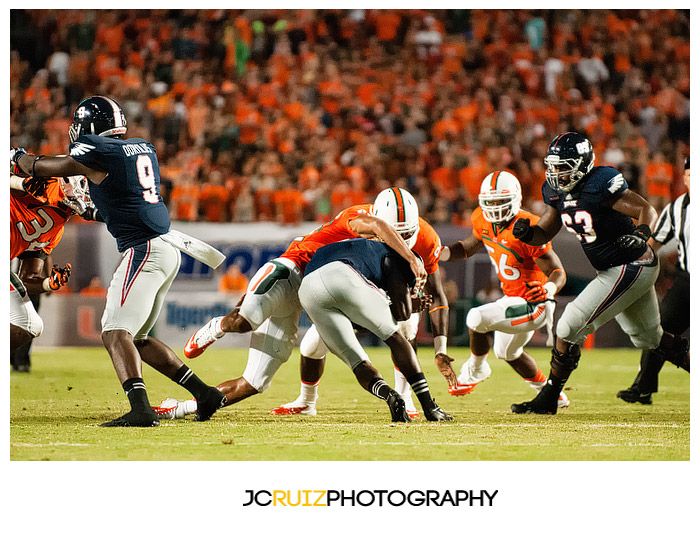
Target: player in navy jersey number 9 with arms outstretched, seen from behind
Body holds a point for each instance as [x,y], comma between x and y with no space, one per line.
[125,188]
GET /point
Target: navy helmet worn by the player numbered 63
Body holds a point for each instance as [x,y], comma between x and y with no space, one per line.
[569,159]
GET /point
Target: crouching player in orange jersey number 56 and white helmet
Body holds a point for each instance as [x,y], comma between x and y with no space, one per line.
[530,277]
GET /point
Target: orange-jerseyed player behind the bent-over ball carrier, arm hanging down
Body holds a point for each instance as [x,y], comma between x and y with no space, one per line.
[423,240]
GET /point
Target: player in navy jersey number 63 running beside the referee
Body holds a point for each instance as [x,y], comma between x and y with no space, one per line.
[595,203]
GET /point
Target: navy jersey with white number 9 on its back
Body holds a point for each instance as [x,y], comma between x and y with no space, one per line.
[129,197]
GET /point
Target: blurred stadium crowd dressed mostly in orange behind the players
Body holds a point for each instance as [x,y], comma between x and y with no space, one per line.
[290,115]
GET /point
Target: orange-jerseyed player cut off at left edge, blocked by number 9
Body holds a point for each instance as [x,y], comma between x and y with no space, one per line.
[36,227]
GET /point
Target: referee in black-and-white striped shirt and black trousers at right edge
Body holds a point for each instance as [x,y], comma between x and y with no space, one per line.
[674,222]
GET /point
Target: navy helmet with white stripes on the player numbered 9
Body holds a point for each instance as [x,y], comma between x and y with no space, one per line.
[97,115]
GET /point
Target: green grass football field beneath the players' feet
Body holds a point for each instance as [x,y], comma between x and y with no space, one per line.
[56,409]
